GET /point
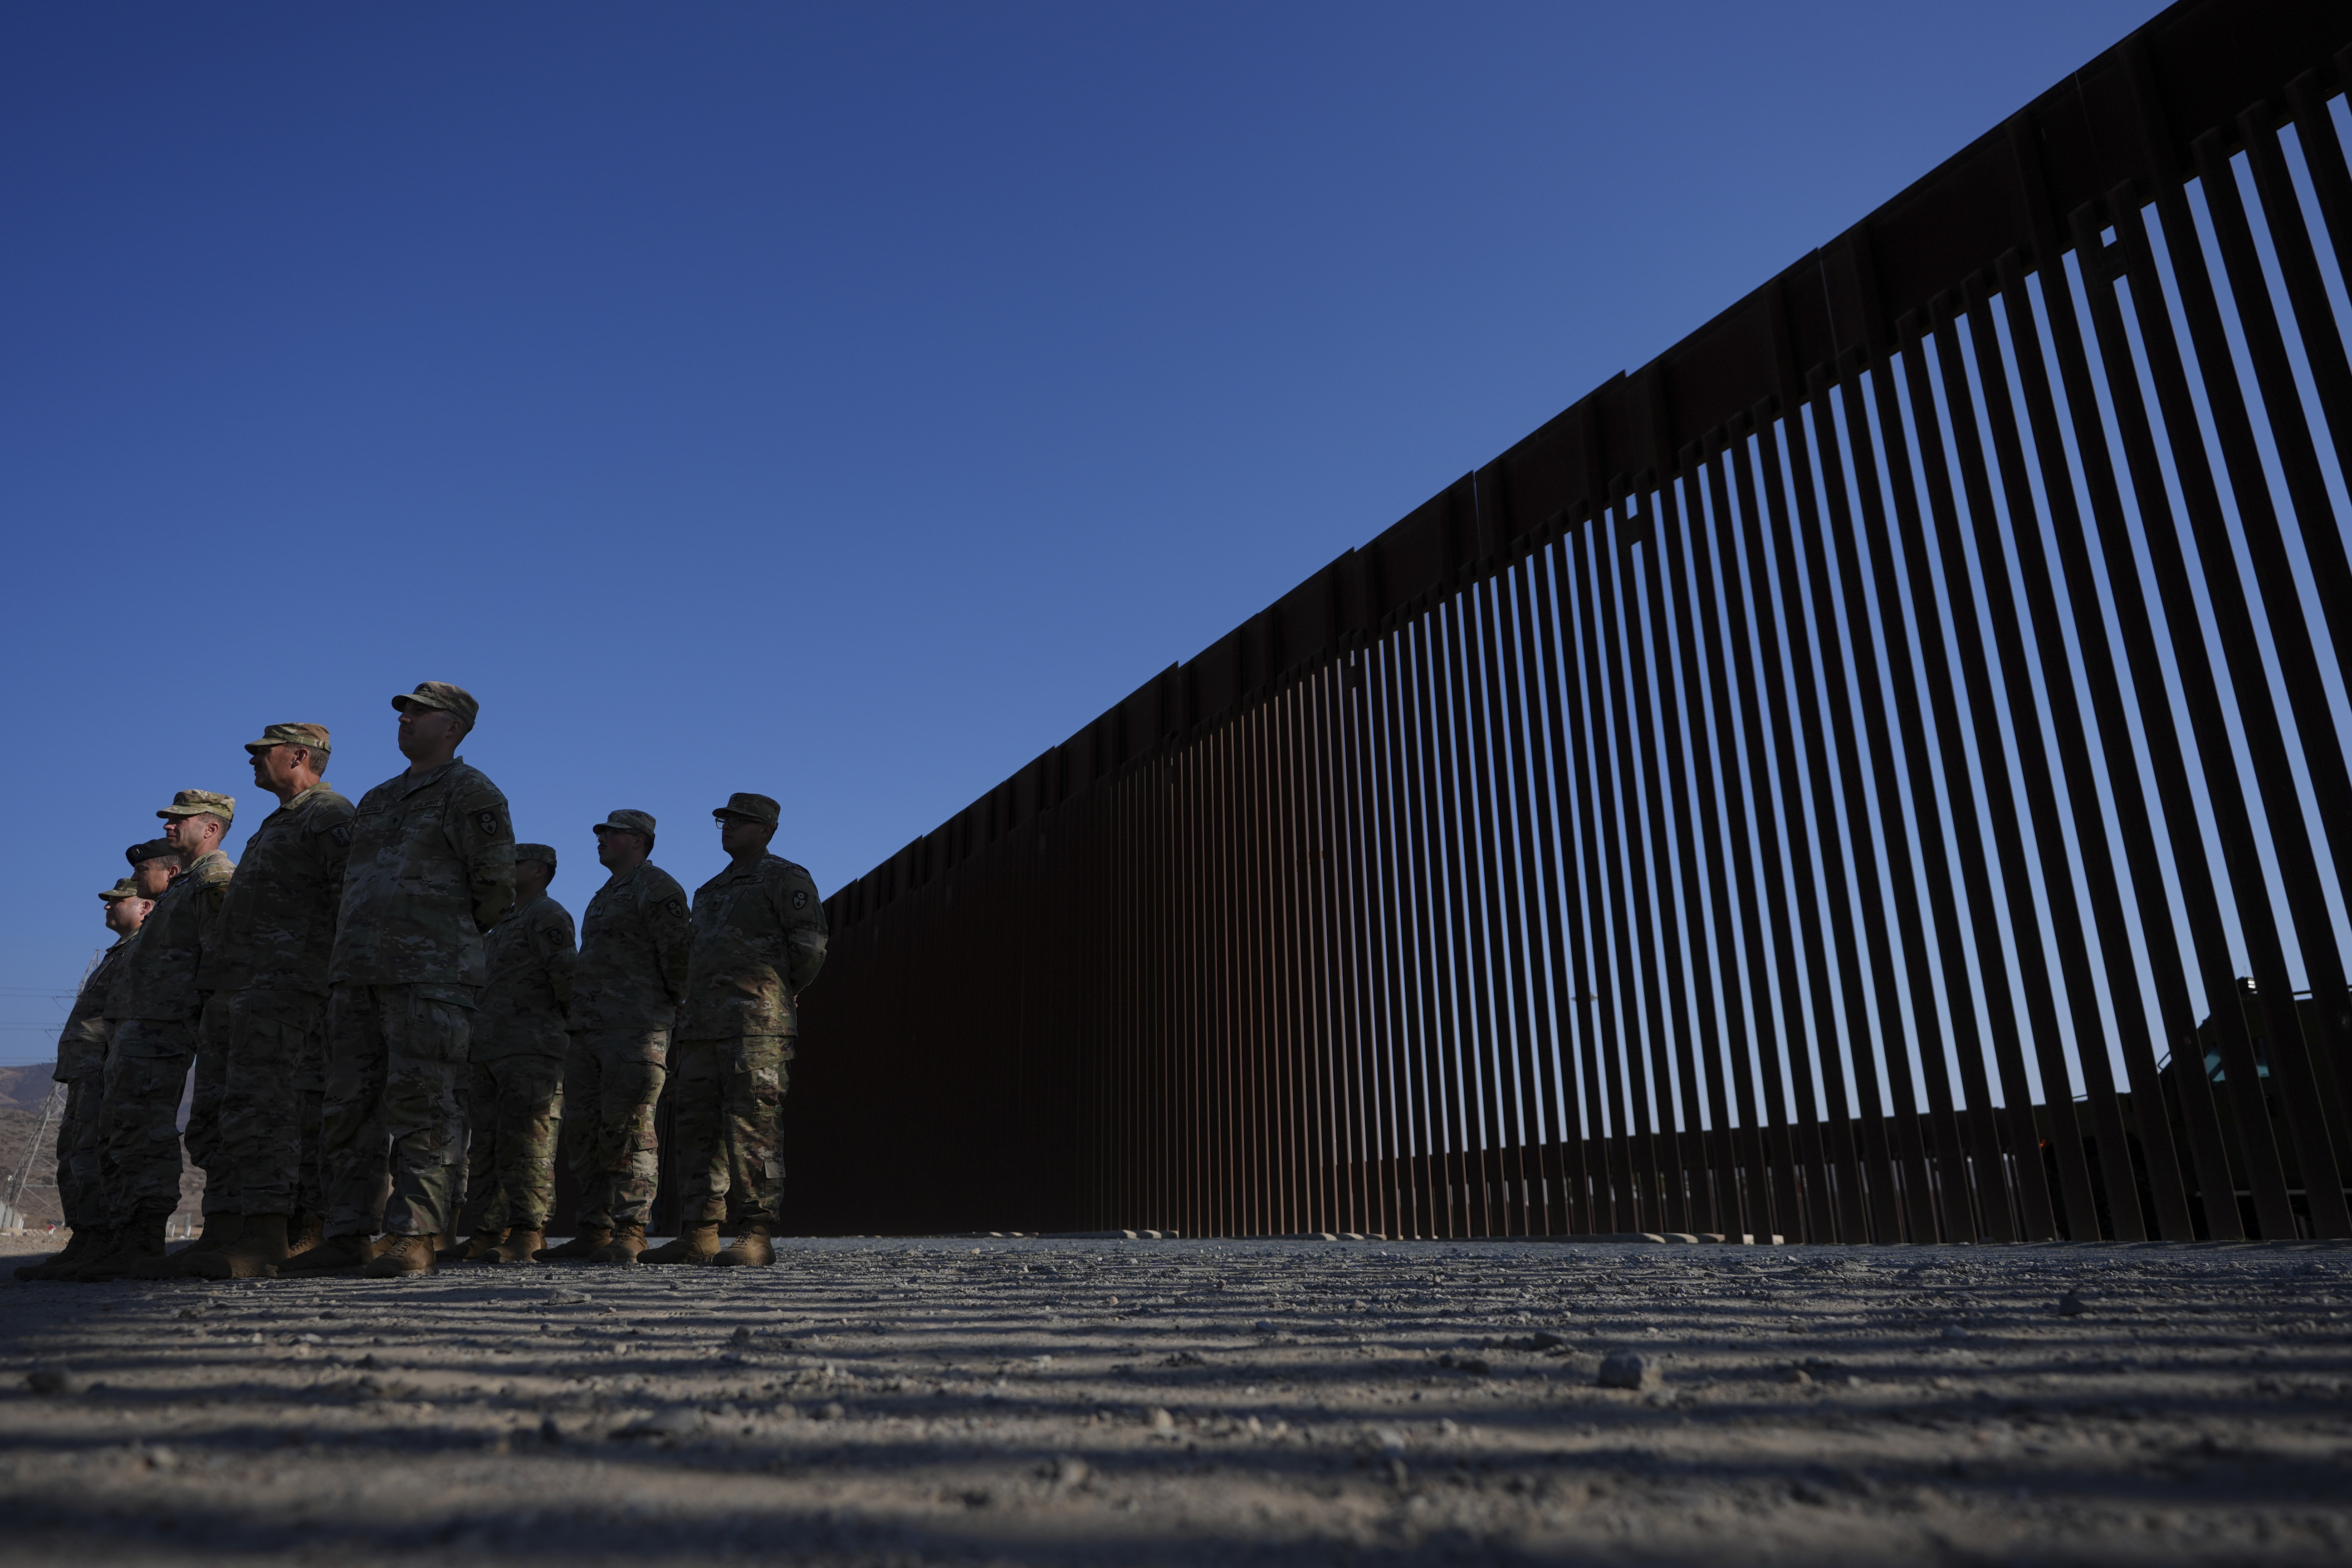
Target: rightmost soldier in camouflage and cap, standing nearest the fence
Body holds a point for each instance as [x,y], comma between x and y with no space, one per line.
[759,942]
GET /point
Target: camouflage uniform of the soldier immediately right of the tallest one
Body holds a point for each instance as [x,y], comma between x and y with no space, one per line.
[516,1094]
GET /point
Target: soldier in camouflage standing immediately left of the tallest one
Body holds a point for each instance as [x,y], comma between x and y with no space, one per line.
[267,1019]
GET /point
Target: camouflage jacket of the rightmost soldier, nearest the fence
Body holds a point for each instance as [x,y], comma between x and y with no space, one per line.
[759,942]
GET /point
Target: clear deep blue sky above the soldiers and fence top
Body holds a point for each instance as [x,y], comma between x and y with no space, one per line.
[831,403]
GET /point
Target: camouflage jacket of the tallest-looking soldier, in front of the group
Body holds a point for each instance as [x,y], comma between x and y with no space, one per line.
[432,871]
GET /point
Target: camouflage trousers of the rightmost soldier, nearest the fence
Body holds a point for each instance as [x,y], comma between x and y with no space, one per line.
[730,1111]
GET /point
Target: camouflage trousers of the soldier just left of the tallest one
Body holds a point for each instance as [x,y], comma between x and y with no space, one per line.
[274,1050]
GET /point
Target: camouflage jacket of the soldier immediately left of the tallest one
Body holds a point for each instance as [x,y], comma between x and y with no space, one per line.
[279,918]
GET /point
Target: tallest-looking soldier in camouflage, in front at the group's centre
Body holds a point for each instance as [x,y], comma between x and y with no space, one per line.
[432,871]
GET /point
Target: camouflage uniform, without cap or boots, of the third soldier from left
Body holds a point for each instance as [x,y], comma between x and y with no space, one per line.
[156,1005]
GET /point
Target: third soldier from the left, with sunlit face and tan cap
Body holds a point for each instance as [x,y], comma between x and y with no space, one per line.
[159,1005]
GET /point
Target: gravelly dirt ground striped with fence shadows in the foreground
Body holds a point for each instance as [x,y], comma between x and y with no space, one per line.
[1201,1402]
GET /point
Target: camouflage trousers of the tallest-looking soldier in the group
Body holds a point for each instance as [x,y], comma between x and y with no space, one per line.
[396,1057]
